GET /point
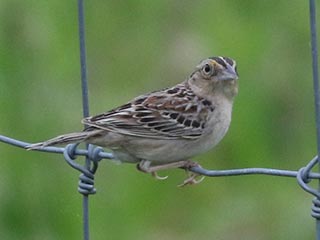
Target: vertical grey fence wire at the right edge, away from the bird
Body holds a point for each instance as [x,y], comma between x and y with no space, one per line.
[314,53]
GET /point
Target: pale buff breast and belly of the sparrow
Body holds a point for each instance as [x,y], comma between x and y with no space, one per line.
[134,149]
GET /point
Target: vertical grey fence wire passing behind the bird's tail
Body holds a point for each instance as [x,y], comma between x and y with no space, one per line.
[85,104]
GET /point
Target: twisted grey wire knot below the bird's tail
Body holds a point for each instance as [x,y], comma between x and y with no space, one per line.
[86,182]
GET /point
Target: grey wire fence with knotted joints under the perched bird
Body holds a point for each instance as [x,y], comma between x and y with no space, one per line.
[93,154]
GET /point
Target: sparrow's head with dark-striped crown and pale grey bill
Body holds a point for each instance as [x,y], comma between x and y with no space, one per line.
[215,75]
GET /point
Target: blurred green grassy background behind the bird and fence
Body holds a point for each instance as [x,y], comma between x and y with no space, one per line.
[138,46]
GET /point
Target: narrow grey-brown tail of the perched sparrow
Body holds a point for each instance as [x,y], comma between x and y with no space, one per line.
[64,139]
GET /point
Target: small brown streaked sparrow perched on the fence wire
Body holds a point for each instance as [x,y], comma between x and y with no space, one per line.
[164,129]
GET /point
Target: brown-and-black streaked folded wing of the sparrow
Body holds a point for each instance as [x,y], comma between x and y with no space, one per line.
[172,113]
